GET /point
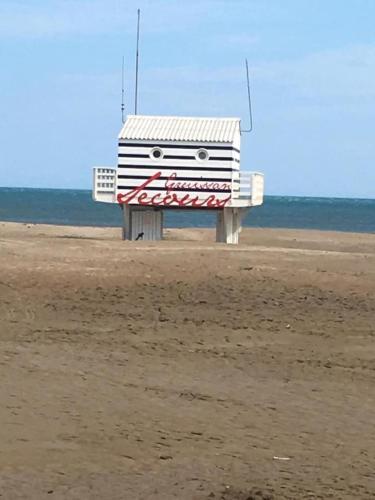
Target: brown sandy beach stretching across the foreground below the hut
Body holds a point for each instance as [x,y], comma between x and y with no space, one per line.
[181,369]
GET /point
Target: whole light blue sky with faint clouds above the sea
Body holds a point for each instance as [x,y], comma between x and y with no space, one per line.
[312,65]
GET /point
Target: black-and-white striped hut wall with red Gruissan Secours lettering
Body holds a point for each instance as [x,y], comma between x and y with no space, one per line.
[208,181]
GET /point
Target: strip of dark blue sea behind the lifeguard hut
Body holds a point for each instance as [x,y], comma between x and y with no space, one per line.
[76,207]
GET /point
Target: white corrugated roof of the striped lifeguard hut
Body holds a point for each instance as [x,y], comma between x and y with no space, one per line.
[179,128]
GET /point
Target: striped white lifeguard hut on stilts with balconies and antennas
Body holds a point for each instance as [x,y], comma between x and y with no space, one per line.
[179,163]
